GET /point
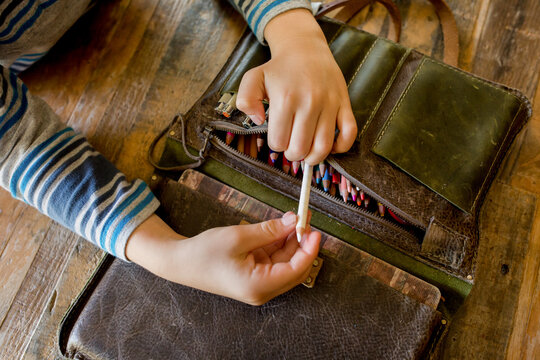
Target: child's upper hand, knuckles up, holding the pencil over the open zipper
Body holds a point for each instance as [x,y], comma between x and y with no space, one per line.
[305,88]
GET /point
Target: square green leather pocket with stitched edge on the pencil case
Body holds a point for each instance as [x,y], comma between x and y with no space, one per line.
[446,130]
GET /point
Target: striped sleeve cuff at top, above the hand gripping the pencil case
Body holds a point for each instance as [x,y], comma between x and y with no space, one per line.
[259,12]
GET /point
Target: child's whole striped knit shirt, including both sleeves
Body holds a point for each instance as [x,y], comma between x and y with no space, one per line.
[51,166]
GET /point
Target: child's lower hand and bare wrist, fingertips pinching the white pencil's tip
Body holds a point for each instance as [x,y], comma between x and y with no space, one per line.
[251,263]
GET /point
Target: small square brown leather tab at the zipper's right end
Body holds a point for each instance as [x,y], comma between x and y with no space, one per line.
[443,245]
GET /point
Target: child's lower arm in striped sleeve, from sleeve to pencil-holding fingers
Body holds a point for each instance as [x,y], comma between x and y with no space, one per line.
[54,169]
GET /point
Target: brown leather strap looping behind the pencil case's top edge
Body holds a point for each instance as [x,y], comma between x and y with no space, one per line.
[349,8]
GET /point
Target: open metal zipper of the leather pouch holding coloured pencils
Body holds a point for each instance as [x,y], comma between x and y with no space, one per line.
[262,129]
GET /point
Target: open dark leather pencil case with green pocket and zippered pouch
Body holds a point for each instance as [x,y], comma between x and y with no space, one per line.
[431,139]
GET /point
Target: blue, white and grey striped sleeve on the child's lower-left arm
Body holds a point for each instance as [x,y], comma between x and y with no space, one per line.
[56,170]
